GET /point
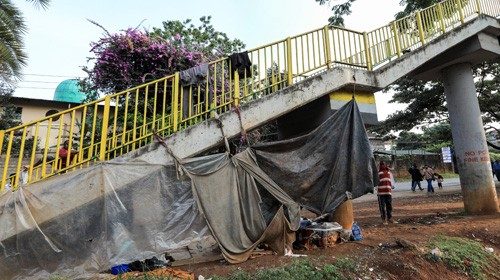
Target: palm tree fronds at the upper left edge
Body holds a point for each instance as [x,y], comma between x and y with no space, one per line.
[12,30]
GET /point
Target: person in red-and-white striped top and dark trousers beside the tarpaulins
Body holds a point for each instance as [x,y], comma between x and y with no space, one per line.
[384,190]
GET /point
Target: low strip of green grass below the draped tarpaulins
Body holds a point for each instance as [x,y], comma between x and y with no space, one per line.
[298,270]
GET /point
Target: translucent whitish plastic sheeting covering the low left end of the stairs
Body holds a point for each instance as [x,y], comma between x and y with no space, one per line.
[86,221]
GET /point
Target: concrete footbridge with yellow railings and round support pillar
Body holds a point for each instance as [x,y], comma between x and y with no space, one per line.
[441,42]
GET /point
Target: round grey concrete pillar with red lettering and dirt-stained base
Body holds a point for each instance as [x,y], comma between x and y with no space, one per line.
[471,150]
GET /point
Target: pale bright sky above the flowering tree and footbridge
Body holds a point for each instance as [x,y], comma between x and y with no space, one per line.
[58,39]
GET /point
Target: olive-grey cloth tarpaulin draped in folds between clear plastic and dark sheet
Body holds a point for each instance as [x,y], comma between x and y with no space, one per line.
[230,192]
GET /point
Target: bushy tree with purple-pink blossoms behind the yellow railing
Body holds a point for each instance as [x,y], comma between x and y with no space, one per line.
[132,57]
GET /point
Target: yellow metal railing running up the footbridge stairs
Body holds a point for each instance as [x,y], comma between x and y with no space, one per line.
[122,122]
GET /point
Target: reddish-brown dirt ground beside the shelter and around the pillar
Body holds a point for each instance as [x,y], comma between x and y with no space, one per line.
[420,218]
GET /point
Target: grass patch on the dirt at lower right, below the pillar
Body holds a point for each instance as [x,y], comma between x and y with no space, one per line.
[464,254]
